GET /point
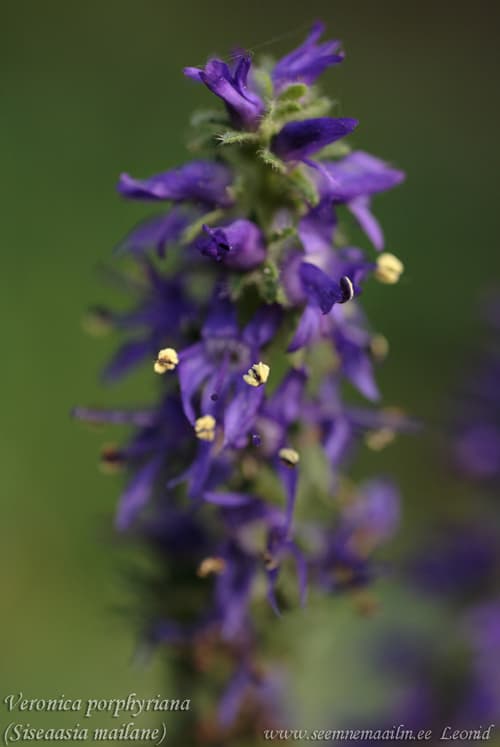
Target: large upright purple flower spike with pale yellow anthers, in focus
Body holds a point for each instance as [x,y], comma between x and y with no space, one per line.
[247,269]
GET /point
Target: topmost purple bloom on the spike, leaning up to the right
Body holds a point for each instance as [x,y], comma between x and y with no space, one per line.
[307,62]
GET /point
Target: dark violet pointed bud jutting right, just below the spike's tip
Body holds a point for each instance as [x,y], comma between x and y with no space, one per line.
[298,140]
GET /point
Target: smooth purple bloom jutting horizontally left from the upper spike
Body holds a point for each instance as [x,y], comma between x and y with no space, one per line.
[204,182]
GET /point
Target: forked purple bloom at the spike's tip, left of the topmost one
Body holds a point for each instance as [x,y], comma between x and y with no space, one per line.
[244,105]
